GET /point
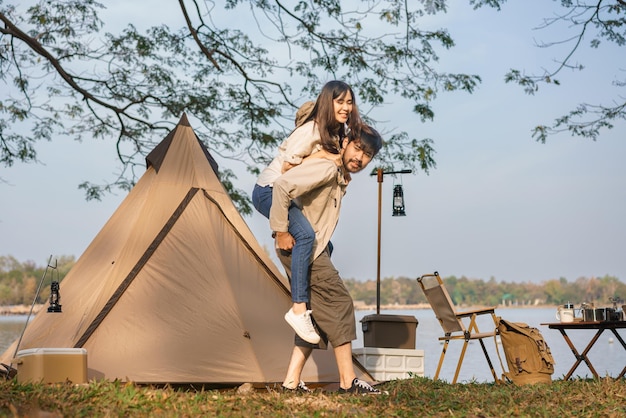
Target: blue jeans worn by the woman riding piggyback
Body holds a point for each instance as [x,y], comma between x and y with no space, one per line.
[302,251]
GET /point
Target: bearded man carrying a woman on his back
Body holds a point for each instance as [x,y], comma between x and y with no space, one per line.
[318,184]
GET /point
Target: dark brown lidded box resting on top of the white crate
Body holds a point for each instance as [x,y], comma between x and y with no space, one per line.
[389,331]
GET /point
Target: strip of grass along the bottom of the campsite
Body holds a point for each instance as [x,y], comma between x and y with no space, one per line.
[407,398]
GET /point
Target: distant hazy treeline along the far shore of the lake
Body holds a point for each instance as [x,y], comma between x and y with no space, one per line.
[19,282]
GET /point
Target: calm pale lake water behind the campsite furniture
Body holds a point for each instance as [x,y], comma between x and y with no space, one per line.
[607,355]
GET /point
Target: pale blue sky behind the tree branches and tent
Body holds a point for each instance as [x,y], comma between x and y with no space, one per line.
[498,205]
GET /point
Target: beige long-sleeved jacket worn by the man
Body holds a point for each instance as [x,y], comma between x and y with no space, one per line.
[319,185]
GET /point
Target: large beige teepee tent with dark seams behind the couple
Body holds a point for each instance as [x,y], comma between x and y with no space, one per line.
[175,288]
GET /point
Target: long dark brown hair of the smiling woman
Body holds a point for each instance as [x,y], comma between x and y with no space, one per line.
[332,132]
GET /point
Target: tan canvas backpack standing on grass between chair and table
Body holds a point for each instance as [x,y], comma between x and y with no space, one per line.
[527,354]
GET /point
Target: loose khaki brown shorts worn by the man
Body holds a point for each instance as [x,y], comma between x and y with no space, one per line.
[331,303]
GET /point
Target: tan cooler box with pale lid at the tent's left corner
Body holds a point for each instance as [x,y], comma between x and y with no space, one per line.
[52,365]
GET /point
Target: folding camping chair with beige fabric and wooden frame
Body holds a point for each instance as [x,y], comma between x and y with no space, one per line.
[452,321]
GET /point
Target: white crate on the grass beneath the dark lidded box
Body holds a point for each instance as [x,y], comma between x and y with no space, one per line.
[391,363]
